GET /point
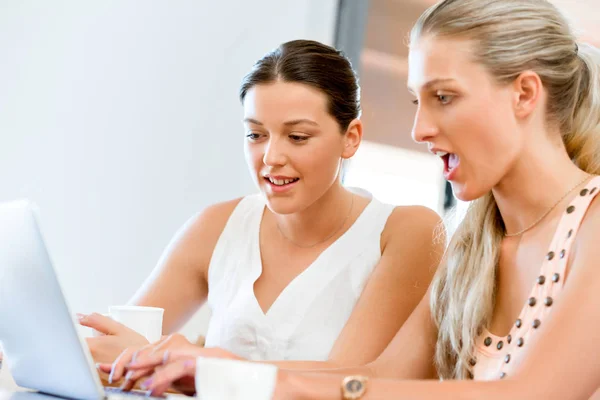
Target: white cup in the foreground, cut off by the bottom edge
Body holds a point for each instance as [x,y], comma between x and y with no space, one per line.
[223,379]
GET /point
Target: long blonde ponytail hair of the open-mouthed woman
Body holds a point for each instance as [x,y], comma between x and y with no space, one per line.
[508,37]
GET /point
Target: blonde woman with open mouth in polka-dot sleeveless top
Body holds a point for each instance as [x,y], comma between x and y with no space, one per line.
[511,102]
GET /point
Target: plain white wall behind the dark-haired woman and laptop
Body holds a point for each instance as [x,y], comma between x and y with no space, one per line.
[121,119]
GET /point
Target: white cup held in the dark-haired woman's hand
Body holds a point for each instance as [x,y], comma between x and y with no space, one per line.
[147,321]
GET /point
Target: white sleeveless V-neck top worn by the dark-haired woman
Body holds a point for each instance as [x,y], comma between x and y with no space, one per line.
[305,320]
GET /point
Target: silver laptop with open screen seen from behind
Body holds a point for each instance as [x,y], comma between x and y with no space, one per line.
[38,331]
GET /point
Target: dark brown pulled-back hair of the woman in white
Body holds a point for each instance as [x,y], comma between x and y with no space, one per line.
[314,64]
